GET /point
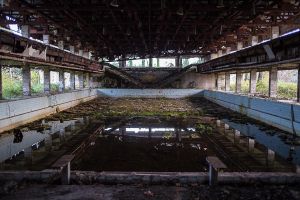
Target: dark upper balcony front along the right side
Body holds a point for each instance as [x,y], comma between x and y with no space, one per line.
[286,49]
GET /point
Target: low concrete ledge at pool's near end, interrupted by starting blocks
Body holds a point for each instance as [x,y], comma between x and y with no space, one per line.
[89,177]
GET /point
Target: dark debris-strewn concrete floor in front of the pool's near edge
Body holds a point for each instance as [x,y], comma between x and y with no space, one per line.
[163,192]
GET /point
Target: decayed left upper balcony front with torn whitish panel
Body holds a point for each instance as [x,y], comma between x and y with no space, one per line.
[16,47]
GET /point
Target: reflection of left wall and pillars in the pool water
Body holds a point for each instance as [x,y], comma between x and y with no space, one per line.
[24,148]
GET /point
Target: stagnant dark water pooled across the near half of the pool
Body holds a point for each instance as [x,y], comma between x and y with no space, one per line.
[155,144]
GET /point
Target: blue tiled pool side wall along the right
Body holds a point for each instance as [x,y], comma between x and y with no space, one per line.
[284,116]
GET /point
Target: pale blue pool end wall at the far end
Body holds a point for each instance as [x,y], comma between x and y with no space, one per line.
[149,93]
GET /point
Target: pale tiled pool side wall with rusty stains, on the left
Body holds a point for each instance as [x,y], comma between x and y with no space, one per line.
[19,112]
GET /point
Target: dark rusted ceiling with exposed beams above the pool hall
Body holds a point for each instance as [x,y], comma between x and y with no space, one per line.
[121,29]
